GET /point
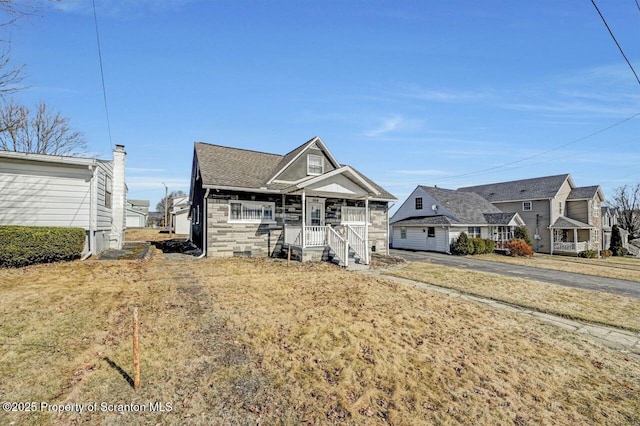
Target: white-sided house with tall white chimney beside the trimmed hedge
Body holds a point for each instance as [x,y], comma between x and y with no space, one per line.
[51,190]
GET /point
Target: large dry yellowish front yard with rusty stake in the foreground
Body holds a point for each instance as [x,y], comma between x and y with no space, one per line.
[248,341]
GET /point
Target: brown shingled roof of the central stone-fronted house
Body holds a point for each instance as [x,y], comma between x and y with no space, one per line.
[240,168]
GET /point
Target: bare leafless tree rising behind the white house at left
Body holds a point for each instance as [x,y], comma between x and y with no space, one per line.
[39,132]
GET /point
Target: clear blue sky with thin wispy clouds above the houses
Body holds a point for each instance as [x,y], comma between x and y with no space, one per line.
[447,93]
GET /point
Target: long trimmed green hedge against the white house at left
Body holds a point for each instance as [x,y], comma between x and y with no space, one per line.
[29,245]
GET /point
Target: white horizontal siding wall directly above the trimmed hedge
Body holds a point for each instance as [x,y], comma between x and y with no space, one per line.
[41,194]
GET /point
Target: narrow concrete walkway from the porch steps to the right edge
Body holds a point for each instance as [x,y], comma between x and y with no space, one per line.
[625,341]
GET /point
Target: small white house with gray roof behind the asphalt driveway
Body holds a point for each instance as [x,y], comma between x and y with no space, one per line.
[432,218]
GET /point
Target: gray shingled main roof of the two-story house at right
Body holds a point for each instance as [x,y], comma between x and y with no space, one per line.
[525,189]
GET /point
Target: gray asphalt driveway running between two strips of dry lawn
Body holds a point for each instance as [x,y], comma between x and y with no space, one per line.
[569,279]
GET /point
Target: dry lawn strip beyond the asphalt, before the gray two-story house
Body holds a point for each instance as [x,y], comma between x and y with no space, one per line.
[624,268]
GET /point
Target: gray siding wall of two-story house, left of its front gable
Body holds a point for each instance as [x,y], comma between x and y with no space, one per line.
[536,220]
